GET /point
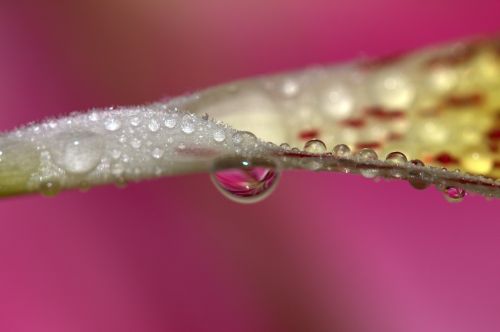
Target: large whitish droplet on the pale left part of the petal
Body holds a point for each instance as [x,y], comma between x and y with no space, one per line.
[78,152]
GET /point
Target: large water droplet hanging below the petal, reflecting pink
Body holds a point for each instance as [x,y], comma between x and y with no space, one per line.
[245,180]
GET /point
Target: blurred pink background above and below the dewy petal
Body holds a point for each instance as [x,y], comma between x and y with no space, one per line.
[324,253]
